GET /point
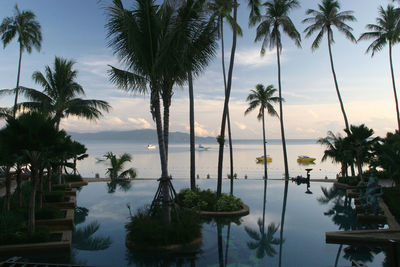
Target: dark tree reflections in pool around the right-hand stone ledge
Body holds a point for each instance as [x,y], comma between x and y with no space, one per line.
[345,216]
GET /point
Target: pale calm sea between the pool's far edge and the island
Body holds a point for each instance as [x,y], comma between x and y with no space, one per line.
[147,162]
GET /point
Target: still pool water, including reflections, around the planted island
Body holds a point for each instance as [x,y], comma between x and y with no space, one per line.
[294,237]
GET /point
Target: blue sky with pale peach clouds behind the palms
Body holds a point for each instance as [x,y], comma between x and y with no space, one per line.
[75,29]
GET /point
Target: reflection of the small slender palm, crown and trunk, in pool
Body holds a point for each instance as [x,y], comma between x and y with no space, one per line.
[263,241]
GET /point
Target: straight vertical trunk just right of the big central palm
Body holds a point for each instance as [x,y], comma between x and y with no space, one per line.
[192,134]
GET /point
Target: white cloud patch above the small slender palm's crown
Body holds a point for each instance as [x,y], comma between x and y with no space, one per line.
[251,57]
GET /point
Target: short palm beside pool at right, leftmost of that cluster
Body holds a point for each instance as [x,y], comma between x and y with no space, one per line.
[338,149]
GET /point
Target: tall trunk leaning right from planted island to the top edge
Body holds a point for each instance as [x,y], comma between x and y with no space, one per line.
[226,103]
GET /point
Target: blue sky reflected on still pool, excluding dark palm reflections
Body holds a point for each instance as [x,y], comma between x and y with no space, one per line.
[303,233]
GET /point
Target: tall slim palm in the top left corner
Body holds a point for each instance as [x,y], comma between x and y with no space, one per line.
[23,24]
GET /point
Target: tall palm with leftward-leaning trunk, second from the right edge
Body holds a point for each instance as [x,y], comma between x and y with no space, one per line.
[323,21]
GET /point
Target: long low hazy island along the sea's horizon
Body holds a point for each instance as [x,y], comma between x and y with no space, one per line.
[149,136]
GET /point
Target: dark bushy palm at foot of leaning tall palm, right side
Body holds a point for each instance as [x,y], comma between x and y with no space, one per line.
[361,143]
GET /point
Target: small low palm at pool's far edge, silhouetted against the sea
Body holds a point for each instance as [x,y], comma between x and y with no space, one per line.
[117,166]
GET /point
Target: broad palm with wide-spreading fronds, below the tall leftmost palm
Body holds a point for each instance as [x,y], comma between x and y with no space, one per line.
[59,97]
